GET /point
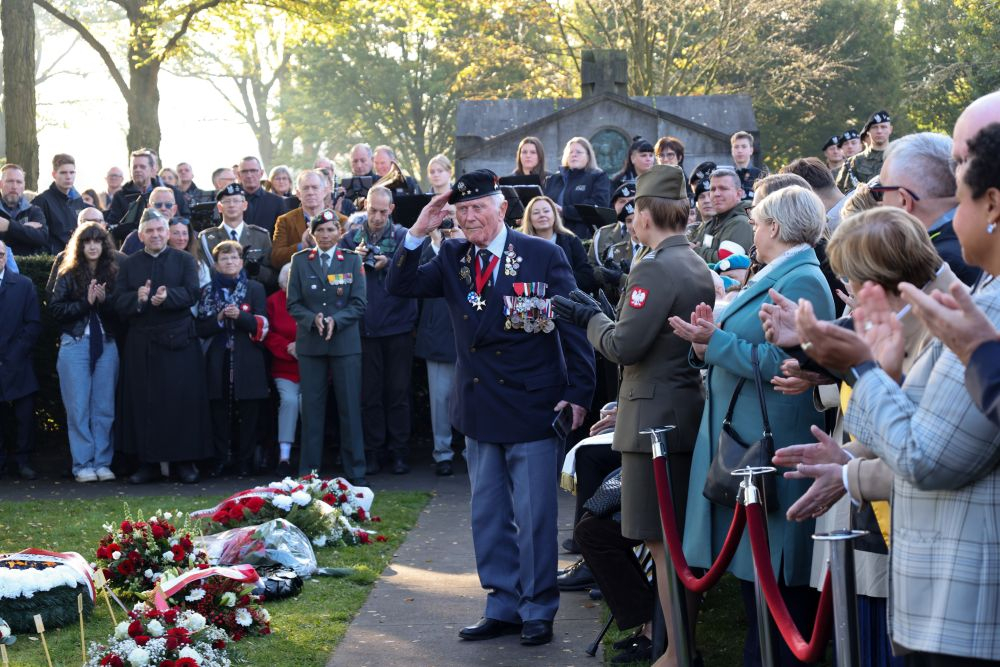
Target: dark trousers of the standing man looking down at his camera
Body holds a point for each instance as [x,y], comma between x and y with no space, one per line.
[387,362]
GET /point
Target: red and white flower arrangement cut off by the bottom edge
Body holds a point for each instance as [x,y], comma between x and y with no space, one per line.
[169,638]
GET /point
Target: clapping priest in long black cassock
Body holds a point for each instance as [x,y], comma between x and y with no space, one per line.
[164,413]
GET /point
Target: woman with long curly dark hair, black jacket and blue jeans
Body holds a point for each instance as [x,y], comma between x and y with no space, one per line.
[88,359]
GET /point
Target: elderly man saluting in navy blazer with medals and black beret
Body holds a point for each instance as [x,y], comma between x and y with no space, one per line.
[517,368]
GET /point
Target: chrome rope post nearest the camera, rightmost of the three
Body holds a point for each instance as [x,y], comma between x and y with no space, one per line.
[845,601]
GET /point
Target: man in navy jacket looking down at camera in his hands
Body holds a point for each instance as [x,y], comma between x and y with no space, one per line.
[386,338]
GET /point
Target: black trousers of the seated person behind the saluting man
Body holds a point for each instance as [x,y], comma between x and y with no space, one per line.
[617,571]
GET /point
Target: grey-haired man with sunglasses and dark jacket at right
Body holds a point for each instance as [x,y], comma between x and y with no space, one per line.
[916,176]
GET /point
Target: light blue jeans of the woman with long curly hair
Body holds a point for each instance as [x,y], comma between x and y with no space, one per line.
[89,400]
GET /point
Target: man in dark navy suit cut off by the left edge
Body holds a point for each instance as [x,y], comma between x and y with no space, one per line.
[20,324]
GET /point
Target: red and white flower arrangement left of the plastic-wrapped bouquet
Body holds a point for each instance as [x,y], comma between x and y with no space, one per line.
[136,554]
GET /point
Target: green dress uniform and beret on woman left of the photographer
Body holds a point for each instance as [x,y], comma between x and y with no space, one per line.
[337,292]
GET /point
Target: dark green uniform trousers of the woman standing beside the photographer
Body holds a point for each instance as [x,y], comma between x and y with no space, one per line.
[316,373]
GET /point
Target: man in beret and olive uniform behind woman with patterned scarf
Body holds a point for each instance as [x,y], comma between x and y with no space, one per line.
[255,240]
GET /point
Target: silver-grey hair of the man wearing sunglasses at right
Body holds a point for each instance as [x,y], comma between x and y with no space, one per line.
[922,162]
